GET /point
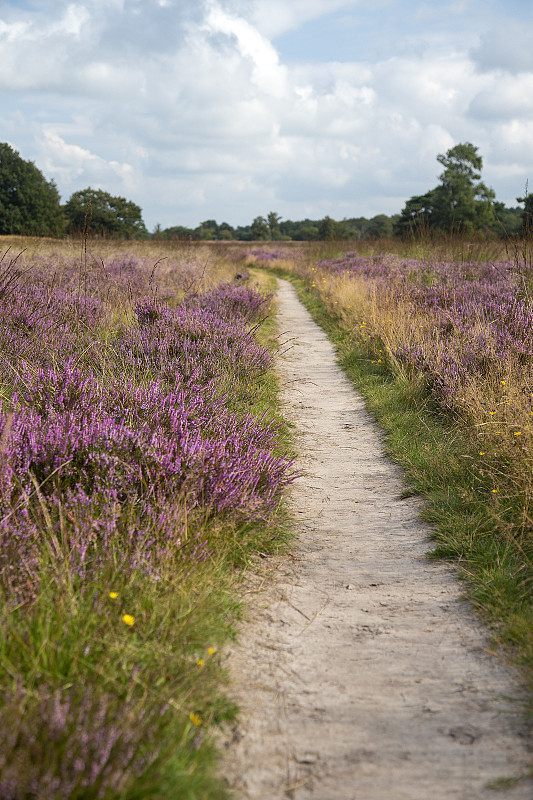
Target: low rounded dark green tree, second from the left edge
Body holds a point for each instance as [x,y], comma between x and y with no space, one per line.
[98,213]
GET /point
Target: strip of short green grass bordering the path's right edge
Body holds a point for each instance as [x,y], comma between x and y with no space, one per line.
[439,459]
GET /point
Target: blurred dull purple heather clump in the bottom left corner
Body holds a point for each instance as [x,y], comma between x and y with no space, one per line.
[100,758]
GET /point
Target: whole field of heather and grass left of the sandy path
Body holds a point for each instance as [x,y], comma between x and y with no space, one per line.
[142,465]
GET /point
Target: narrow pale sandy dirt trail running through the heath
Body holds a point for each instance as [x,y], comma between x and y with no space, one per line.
[362,674]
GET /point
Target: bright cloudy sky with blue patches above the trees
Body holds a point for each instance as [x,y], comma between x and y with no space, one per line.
[227,109]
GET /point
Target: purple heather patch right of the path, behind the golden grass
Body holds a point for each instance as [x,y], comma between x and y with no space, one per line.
[468,320]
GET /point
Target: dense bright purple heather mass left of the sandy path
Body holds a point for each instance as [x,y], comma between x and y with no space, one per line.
[98,451]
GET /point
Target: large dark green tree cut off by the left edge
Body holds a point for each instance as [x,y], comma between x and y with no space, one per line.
[29,204]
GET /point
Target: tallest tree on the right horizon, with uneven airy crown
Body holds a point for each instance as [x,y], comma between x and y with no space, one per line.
[462,202]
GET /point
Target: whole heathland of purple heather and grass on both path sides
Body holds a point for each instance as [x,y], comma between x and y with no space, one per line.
[144,463]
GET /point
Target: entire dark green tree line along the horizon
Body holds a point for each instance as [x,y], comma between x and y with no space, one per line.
[30,205]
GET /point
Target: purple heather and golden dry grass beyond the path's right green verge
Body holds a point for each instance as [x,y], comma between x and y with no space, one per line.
[459,336]
